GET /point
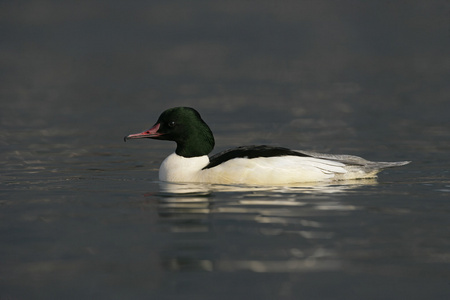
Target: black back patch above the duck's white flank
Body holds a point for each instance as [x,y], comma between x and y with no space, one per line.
[251,152]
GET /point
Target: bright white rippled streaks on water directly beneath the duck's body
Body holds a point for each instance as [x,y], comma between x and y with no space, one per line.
[262,204]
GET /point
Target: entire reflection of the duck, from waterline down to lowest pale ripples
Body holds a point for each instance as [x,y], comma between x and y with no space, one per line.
[249,228]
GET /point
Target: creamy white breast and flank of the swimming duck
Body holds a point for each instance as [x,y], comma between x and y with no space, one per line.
[263,170]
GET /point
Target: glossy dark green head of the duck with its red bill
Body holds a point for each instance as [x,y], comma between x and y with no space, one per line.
[184,126]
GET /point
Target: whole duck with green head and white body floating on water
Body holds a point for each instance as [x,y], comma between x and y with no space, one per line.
[265,165]
